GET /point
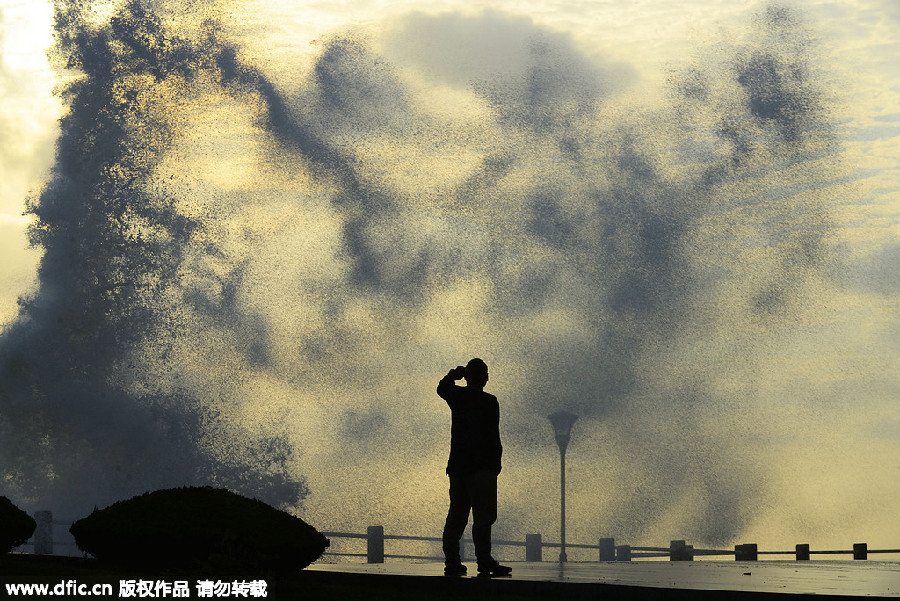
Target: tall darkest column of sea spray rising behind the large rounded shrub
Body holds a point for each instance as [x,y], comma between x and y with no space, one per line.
[75,433]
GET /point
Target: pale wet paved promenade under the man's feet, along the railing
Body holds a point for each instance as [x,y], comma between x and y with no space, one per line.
[760,579]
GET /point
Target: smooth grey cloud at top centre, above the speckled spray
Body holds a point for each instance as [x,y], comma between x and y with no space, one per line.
[531,75]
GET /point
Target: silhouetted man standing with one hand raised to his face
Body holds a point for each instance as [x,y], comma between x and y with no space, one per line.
[473,467]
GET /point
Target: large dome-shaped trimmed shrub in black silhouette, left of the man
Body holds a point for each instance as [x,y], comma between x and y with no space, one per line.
[199,528]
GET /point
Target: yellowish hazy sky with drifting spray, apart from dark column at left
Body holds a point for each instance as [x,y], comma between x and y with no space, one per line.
[679,219]
